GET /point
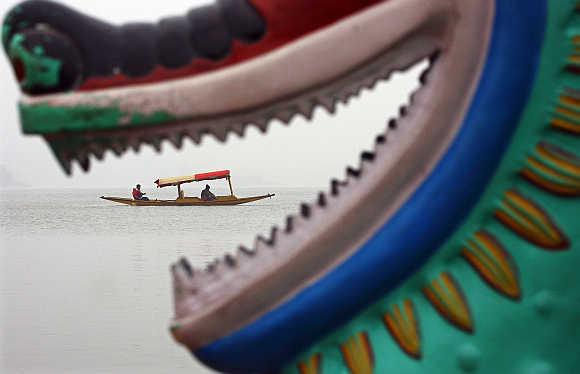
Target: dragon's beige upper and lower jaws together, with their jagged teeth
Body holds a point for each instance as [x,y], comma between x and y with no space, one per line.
[334,63]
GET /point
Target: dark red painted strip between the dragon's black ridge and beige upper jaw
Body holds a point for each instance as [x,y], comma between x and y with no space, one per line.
[287,20]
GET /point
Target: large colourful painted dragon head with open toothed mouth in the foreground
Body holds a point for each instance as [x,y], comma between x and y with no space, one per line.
[459,252]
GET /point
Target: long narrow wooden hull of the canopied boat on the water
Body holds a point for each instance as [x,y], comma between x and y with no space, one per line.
[188,201]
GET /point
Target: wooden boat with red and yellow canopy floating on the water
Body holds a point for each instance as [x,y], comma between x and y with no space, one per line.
[191,201]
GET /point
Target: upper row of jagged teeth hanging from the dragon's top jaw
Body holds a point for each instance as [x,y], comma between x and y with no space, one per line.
[82,148]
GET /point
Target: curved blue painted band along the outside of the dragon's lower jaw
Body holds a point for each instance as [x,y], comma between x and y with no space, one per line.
[420,226]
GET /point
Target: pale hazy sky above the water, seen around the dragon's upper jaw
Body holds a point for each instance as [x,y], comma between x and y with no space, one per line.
[302,154]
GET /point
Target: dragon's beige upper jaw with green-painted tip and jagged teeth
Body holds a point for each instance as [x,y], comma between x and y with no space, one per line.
[291,79]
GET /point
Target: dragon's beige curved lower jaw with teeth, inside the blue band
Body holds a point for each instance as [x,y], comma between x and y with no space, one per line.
[332,231]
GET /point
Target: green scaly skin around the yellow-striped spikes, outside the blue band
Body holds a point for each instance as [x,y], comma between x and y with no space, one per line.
[539,333]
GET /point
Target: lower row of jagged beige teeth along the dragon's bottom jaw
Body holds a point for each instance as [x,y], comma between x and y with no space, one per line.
[197,289]
